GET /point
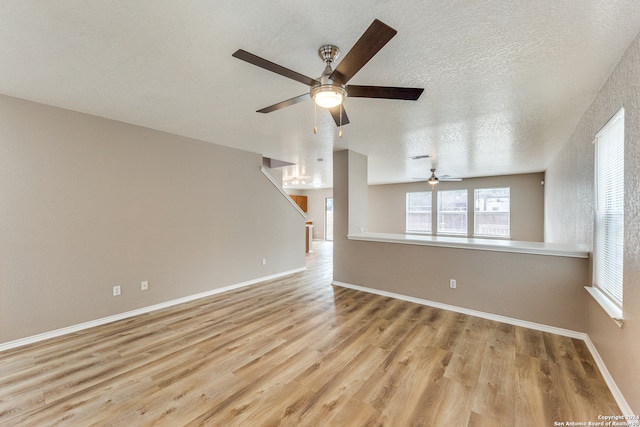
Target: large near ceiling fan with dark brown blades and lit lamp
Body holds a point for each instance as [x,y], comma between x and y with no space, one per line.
[330,89]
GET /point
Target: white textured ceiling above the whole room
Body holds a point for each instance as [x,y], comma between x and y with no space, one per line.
[505,81]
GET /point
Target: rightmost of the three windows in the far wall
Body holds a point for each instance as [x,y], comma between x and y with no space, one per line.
[491,213]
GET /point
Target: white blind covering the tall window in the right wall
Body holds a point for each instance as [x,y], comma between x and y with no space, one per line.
[609,209]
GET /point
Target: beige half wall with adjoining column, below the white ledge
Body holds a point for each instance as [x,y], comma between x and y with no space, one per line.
[536,288]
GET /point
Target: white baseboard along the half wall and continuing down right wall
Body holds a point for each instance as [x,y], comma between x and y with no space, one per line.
[615,391]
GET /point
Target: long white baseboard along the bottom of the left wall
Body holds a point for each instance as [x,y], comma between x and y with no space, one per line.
[120,316]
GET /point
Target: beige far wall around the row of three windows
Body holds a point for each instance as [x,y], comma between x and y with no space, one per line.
[387,203]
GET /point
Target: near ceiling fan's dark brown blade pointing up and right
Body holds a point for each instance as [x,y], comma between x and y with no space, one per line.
[374,38]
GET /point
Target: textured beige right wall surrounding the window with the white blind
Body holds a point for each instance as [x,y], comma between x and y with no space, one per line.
[569,216]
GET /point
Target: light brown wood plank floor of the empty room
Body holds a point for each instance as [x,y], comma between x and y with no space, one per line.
[299,352]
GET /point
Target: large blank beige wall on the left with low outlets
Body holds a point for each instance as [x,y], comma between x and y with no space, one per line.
[89,203]
